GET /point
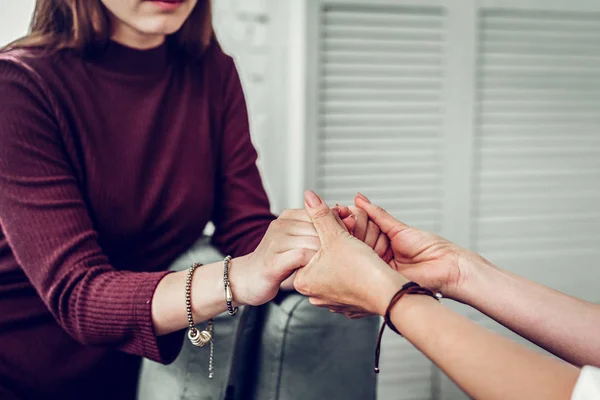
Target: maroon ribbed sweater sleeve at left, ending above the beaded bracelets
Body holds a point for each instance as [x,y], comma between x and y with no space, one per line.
[48,226]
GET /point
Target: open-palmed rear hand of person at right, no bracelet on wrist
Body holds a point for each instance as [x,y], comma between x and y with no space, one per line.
[423,257]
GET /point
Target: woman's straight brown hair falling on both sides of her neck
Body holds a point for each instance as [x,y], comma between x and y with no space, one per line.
[84,24]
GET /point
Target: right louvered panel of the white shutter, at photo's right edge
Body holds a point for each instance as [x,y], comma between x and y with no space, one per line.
[536,191]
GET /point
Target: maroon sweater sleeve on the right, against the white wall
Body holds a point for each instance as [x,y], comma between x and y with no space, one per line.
[242,212]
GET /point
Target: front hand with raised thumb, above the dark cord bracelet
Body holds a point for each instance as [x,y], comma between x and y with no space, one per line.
[345,275]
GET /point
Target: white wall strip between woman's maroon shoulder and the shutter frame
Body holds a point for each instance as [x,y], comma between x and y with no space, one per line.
[255,33]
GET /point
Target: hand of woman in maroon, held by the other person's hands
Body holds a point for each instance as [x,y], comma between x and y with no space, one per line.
[290,242]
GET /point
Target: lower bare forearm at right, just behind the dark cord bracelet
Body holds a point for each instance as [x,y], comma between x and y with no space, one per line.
[485,365]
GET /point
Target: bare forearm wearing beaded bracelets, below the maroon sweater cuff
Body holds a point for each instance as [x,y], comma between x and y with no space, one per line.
[208,296]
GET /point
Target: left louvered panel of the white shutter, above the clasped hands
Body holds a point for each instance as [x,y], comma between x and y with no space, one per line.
[379,131]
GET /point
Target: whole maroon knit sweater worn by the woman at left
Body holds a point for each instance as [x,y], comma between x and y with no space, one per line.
[111,165]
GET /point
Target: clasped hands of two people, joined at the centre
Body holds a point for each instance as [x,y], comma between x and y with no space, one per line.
[352,260]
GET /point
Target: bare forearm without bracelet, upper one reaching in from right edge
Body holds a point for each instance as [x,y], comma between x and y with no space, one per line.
[565,326]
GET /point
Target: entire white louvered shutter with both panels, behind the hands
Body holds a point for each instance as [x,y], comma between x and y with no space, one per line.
[478,119]
